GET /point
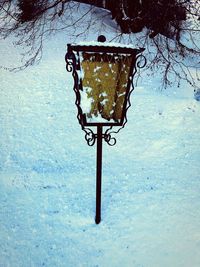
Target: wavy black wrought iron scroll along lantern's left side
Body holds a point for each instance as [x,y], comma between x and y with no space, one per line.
[72,65]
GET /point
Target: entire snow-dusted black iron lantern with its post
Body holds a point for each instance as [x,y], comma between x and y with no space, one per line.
[103,81]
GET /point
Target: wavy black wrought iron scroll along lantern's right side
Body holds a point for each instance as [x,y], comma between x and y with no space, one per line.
[140,62]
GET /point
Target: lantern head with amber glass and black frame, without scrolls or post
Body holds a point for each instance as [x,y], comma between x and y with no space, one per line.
[102,82]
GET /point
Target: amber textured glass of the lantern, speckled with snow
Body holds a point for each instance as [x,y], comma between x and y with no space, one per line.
[105,79]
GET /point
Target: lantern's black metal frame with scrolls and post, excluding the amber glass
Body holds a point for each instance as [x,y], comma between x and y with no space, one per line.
[73,65]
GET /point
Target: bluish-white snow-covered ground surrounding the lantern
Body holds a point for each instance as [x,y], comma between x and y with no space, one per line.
[151,177]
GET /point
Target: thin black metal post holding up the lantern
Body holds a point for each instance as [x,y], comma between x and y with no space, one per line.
[98,175]
